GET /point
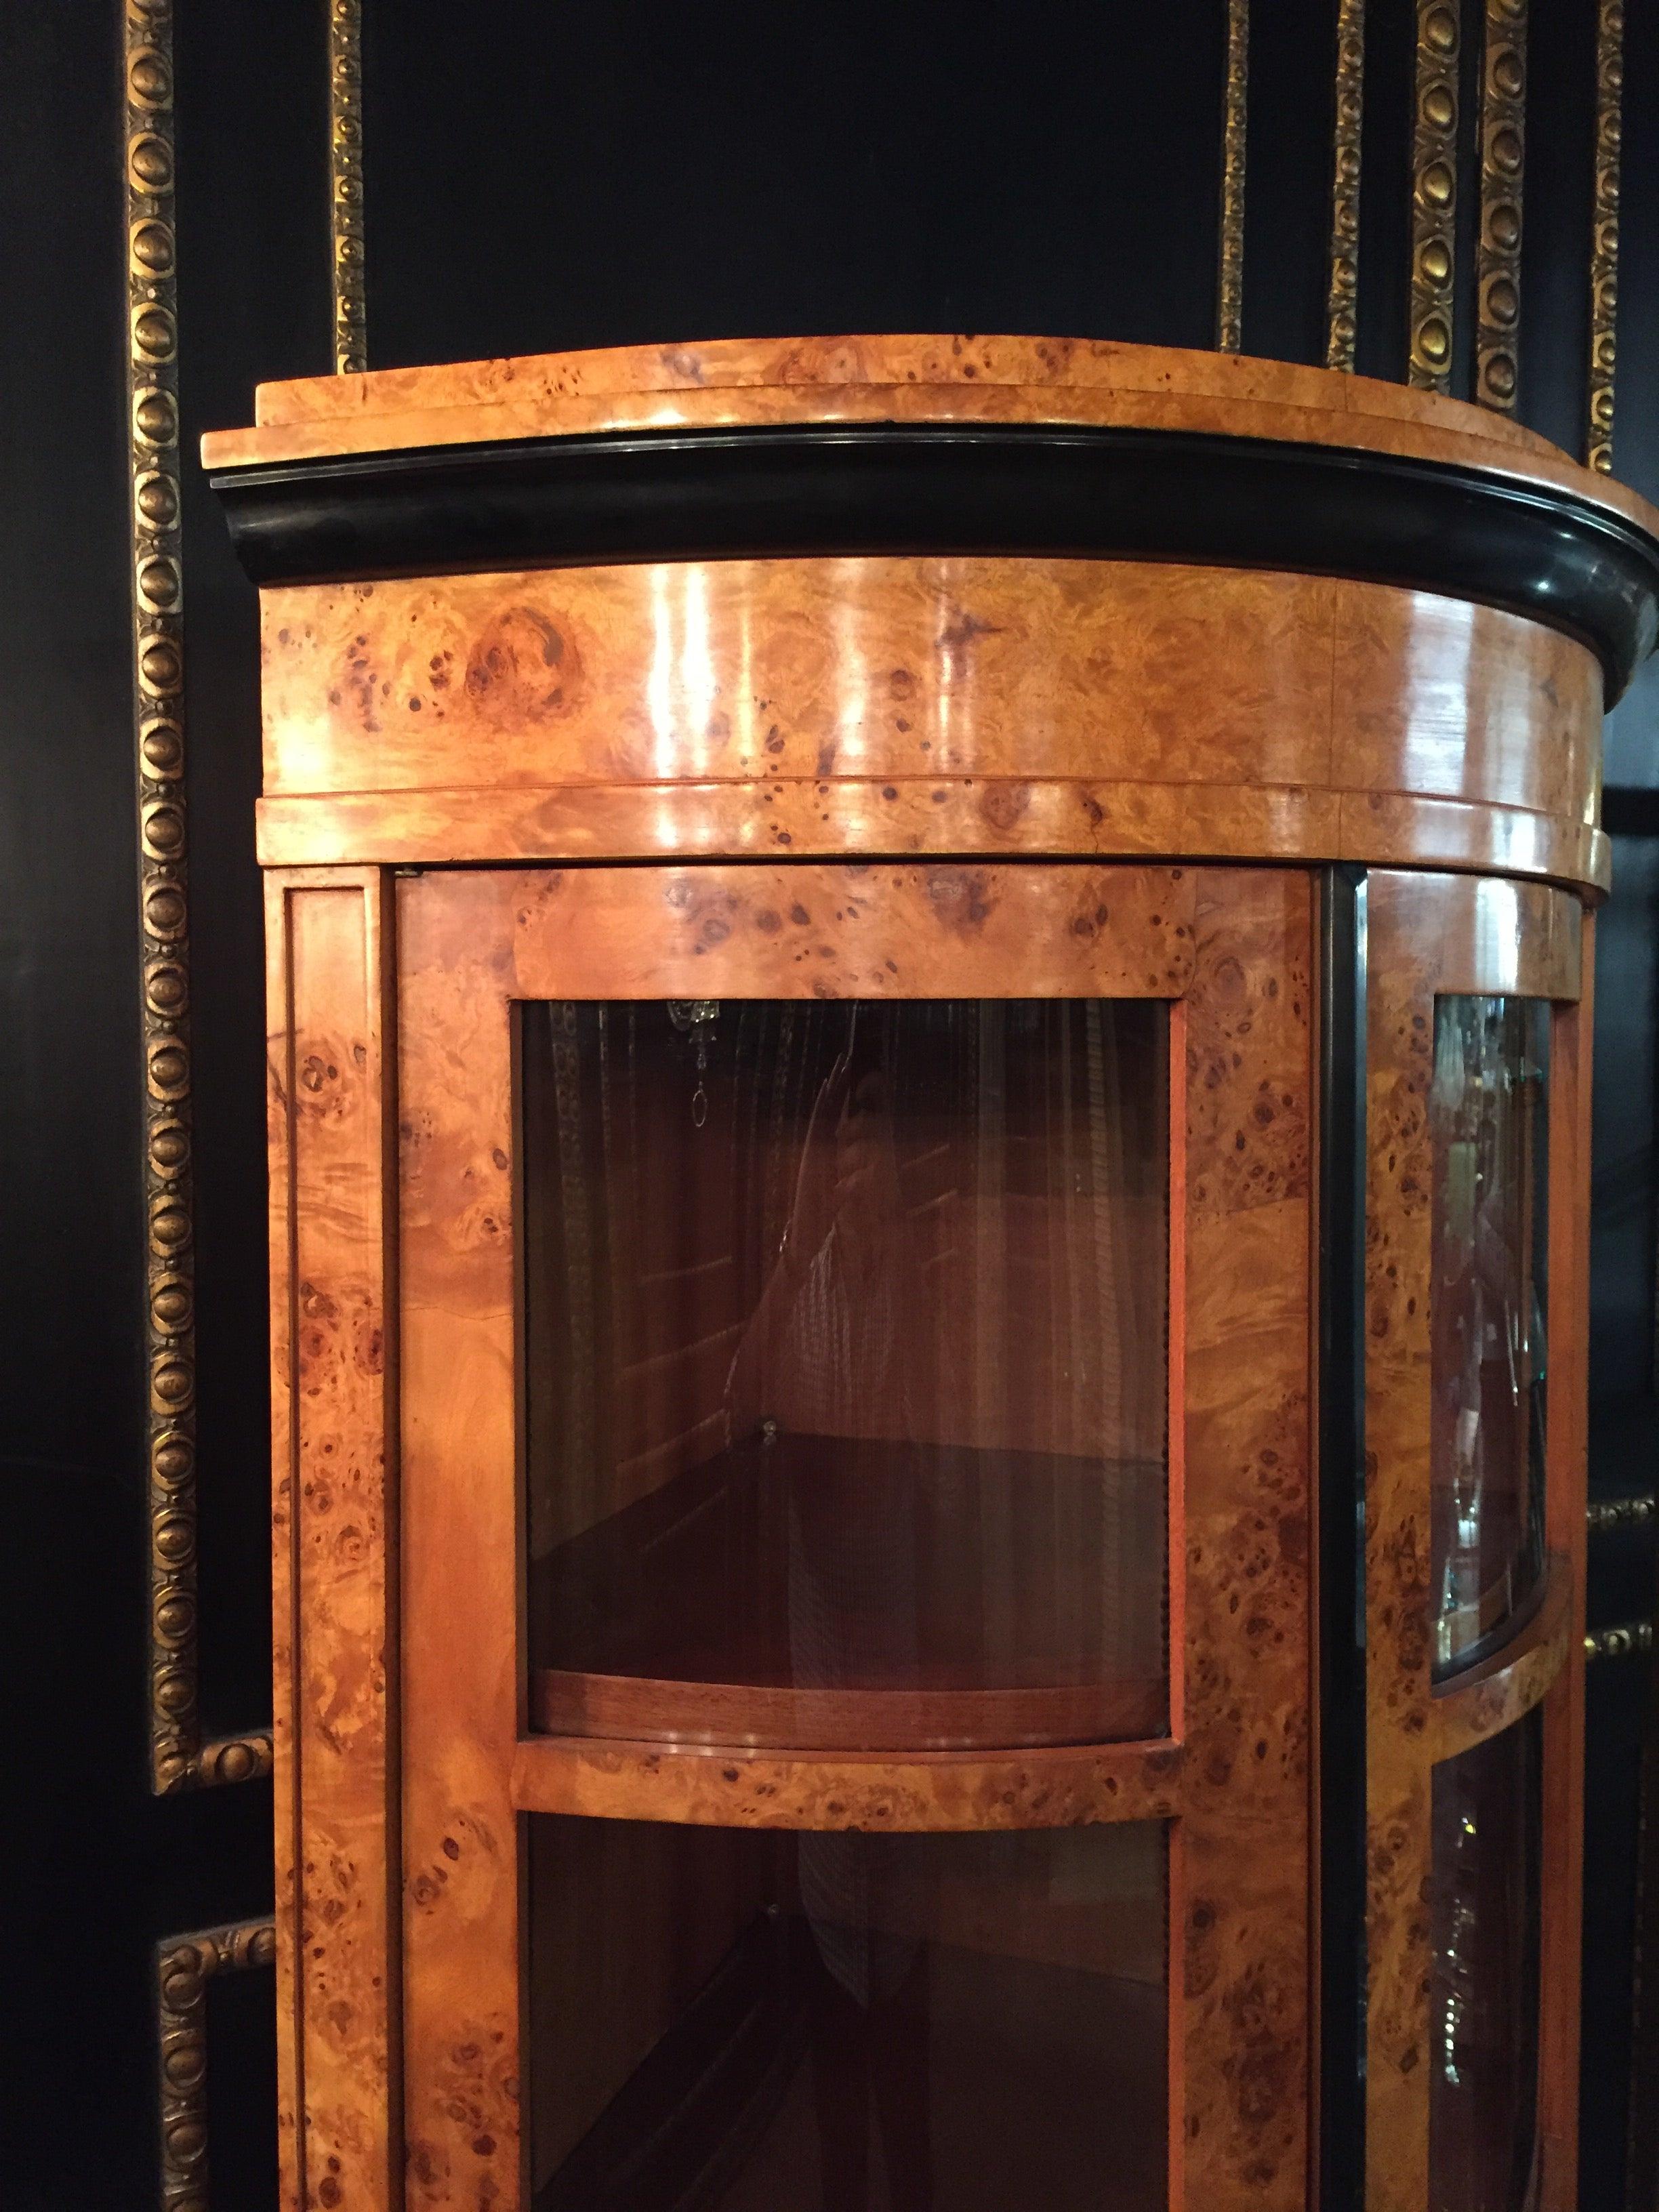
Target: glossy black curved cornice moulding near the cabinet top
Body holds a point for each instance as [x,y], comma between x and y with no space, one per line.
[1008,488]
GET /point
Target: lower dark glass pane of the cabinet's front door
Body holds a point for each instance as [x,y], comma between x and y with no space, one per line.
[751,2021]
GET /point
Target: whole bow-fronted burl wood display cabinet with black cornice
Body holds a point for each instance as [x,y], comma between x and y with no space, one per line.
[928,1078]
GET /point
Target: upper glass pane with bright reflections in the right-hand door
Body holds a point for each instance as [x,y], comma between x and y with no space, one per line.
[1488,1112]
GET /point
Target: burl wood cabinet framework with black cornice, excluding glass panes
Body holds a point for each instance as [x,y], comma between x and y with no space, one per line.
[908,669]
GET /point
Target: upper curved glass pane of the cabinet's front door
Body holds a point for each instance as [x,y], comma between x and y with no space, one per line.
[846,1370]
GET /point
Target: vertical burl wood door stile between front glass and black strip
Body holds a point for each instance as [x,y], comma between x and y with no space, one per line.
[1242,1846]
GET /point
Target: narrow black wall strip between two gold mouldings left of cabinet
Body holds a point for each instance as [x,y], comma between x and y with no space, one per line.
[253,306]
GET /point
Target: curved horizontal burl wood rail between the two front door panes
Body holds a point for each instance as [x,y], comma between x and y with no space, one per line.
[1061,1786]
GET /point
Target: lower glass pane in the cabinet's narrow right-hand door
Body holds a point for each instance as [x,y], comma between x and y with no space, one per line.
[1483,2005]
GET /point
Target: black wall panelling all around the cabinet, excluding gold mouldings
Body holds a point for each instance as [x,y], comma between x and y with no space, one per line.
[550,178]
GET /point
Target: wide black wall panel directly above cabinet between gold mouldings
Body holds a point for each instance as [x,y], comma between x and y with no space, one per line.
[612,176]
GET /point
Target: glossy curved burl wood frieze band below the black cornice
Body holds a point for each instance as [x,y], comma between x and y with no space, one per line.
[924,705]
